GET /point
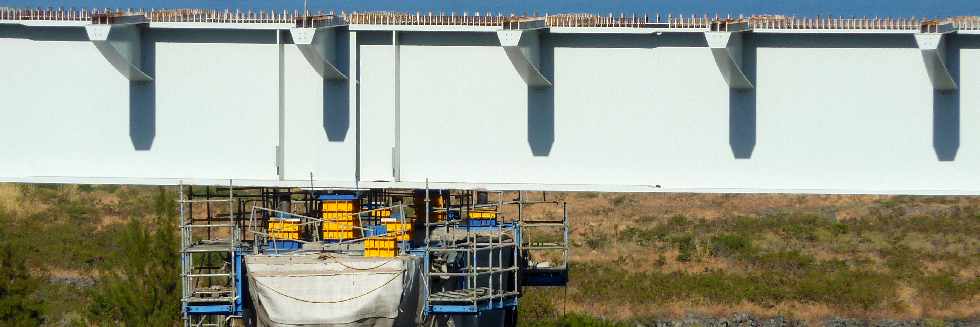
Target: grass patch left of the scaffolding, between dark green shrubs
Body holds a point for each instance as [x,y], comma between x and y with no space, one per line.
[70,235]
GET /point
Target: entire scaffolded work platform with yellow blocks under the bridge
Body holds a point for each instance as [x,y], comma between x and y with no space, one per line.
[376,257]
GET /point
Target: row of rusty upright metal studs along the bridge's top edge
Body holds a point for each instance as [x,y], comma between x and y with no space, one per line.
[511,21]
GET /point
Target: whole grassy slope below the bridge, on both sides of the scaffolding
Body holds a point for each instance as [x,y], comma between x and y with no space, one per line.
[635,256]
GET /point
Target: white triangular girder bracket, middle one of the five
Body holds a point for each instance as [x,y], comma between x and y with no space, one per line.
[522,48]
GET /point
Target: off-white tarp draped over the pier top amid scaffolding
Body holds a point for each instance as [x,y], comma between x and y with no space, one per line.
[325,289]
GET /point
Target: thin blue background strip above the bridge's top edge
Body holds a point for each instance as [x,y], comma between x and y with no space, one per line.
[919,8]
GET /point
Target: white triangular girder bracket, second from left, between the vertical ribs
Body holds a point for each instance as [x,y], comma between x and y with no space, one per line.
[318,45]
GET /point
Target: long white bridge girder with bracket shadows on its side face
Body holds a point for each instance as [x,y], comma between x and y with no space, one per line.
[536,107]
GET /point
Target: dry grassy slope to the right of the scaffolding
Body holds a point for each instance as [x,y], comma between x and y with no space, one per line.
[808,257]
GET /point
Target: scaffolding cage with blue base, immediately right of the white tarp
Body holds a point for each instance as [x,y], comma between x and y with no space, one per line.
[469,268]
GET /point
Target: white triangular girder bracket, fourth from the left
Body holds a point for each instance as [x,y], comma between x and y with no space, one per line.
[726,47]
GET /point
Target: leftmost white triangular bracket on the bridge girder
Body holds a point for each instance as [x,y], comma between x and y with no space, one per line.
[121,43]
